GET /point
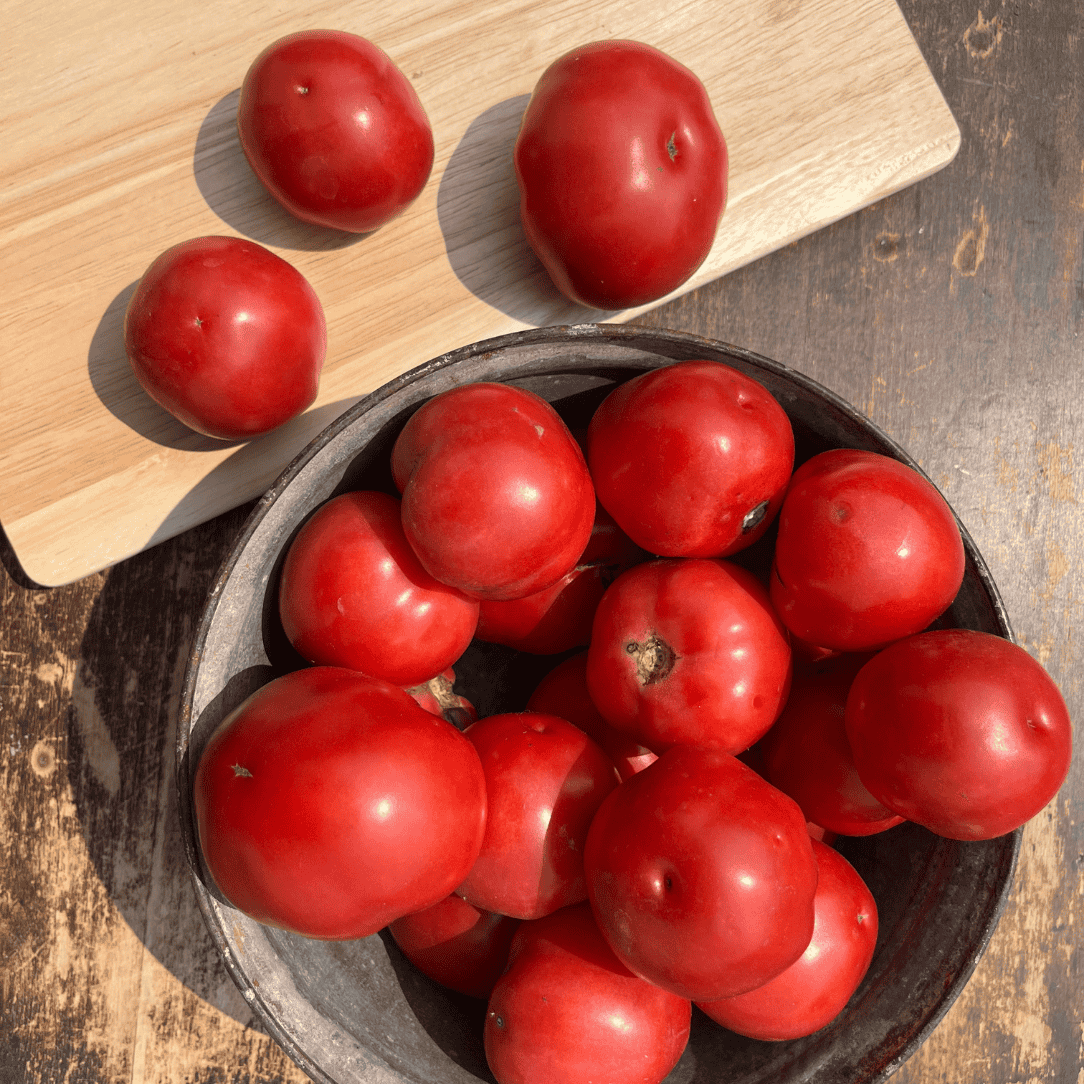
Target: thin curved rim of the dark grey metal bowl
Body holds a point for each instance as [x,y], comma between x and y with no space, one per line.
[629,335]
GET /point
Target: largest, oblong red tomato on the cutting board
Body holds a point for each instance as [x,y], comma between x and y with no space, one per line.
[623,170]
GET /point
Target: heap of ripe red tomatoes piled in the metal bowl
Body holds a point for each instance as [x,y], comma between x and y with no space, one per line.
[654,832]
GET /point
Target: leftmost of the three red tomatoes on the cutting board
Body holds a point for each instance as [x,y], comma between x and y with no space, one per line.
[227,337]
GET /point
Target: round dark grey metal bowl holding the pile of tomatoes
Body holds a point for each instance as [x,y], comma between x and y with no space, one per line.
[358,1013]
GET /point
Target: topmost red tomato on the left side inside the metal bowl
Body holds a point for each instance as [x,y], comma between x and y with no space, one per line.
[497,499]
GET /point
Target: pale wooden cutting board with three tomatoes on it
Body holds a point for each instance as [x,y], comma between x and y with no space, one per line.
[120,141]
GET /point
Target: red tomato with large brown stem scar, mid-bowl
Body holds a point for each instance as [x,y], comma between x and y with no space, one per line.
[689,651]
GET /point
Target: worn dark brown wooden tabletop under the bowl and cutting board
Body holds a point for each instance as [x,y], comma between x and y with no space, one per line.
[952,314]
